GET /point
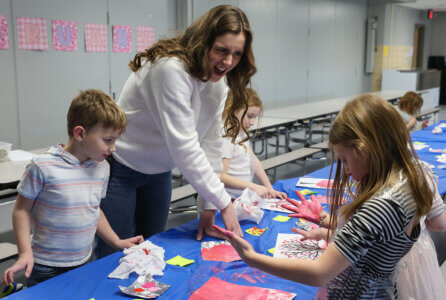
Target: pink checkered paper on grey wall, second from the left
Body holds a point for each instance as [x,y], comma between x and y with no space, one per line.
[32,34]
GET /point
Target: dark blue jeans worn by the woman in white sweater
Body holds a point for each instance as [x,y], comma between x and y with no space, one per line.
[135,204]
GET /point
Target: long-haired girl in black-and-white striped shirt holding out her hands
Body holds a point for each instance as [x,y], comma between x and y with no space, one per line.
[382,222]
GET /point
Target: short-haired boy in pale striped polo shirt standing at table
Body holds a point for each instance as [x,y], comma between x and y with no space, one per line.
[60,193]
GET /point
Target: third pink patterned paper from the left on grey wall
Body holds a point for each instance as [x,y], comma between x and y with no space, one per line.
[64,35]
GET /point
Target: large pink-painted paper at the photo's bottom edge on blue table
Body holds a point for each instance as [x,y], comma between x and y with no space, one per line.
[215,288]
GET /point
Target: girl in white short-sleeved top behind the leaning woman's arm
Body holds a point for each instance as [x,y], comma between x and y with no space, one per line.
[240,164]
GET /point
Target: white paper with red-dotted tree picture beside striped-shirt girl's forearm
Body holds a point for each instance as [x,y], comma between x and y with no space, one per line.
[291,246]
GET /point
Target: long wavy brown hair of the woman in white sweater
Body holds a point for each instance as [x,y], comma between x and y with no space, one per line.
[193,48]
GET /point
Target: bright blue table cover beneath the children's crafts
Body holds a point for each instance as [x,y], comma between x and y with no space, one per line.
[91,281]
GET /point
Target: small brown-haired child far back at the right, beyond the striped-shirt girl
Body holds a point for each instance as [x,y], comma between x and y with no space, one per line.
[409,105]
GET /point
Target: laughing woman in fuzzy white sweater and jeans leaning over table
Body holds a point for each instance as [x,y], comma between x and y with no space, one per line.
[174,101]
